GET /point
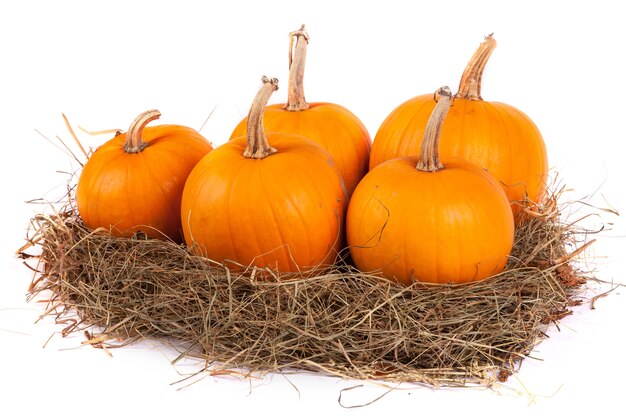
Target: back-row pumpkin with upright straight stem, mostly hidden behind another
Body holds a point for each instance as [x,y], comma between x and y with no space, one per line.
[332,126]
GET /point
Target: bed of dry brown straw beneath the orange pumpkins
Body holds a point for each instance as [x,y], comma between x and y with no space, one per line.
[343,322]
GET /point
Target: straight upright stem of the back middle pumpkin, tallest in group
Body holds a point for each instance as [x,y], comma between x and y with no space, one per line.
[298,42]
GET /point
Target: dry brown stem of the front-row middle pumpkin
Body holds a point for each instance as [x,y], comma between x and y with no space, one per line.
[258,147]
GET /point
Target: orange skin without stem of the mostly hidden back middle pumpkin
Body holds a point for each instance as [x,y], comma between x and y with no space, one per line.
[330,125]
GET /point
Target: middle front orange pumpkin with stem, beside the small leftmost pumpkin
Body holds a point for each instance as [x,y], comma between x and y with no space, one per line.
[274,200]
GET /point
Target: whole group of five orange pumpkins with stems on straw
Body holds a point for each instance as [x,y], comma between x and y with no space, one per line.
[276,194]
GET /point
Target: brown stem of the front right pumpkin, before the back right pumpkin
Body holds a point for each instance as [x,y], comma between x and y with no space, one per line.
[429,152]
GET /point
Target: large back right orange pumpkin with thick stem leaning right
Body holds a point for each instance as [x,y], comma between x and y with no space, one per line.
[496,136]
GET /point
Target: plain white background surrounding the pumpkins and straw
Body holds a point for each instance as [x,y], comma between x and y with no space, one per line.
[102,63]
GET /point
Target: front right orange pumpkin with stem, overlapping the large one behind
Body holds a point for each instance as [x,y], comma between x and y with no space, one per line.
[420,219]
